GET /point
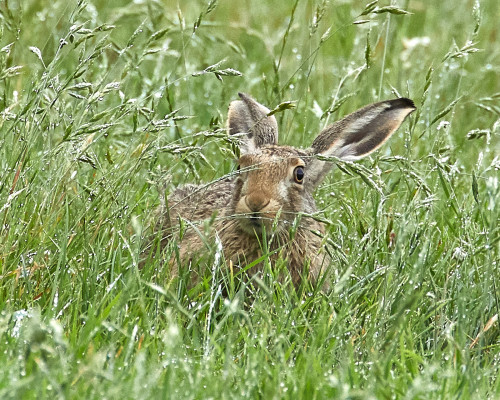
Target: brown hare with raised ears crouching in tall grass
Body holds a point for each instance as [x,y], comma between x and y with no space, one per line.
[264,209]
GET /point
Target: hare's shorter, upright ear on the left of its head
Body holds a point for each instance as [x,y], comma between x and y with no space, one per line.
[249,119]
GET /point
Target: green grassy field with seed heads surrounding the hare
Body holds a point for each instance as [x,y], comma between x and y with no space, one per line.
[106,105]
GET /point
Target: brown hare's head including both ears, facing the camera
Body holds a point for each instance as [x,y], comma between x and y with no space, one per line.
[276,182]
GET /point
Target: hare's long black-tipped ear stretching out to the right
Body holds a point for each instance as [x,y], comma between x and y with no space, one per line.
[359,134]
